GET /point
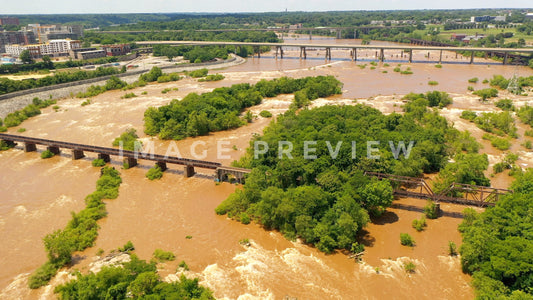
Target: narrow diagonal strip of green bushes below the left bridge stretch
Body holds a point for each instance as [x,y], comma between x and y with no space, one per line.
[81,231]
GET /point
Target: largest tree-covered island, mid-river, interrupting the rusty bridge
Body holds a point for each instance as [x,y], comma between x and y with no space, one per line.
[326,200]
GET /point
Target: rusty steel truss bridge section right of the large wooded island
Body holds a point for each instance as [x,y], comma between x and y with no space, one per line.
[458,193]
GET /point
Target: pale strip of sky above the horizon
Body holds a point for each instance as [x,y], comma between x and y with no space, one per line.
[166,6]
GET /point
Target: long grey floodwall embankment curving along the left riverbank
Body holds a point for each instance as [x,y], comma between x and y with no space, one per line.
[17,100]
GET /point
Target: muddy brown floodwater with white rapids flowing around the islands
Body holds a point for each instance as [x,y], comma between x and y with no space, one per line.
[38,195]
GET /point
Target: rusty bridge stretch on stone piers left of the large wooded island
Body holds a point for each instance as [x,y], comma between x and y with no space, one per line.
[129,157]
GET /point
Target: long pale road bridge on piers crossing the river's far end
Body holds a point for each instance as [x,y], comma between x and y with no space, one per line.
[503,52]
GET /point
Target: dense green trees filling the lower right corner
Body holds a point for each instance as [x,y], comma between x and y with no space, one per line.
[497,246]
